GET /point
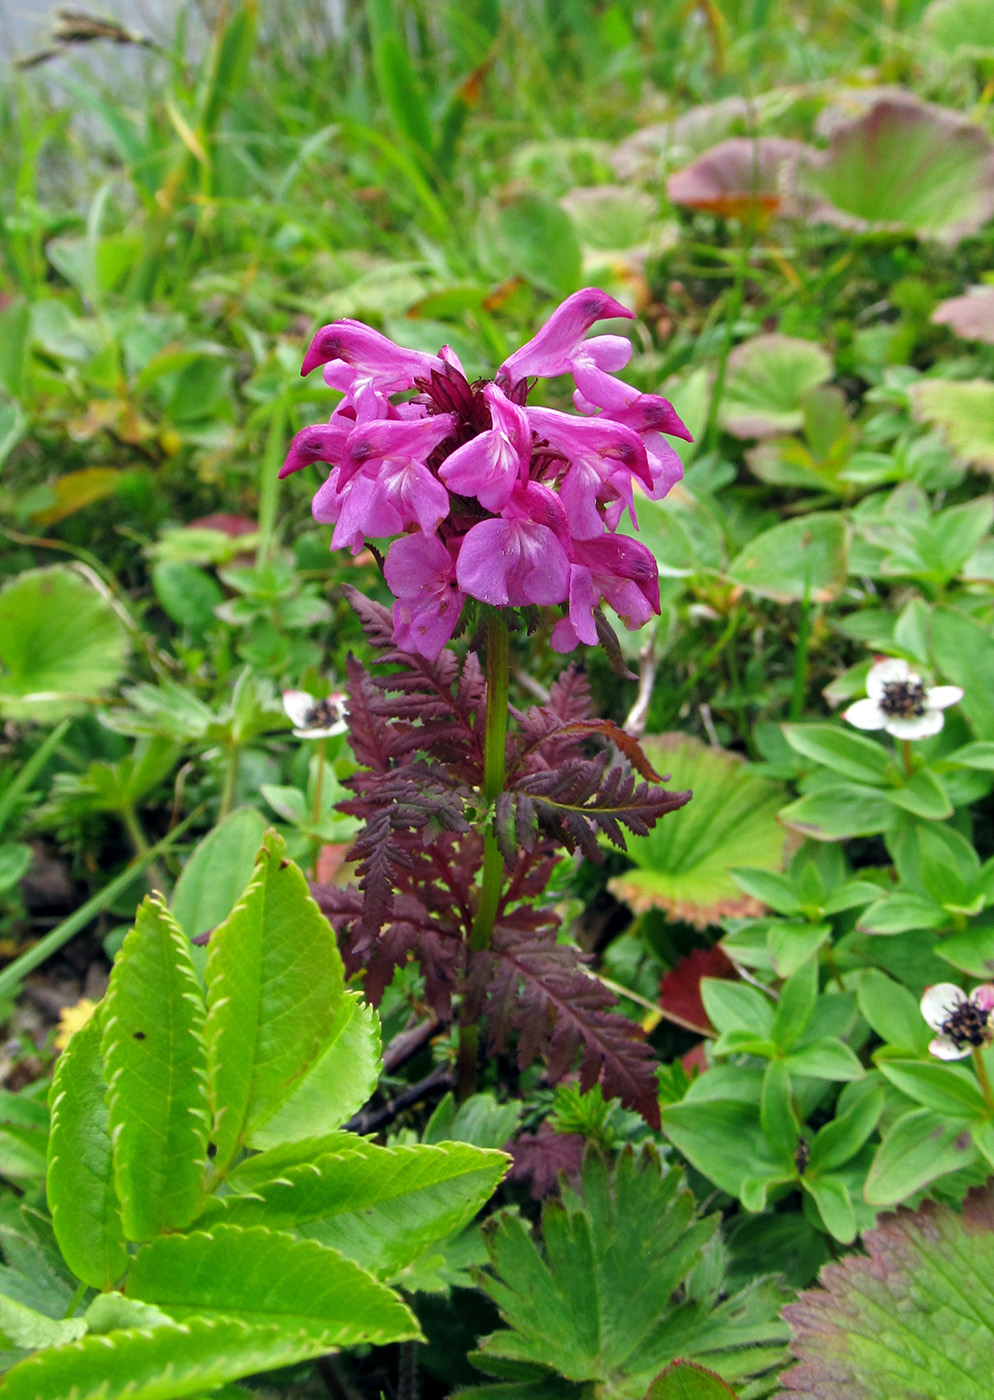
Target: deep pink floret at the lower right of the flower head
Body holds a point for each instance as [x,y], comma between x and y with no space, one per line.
[617,570]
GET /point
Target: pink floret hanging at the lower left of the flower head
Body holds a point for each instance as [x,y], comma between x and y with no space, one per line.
[421,575]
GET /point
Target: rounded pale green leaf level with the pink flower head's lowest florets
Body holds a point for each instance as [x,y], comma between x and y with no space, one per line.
[794,561]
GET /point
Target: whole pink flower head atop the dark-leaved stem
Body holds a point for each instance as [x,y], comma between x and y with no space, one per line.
[488,498]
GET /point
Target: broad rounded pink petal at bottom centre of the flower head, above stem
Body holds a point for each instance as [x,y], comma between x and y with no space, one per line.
[513,562]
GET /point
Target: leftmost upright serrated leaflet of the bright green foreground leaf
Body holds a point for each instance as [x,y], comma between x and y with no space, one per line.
[86,1214]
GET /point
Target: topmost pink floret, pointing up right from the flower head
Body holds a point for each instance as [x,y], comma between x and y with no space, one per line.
[559,348]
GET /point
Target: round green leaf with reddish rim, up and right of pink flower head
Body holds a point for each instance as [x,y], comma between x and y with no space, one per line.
[768,381]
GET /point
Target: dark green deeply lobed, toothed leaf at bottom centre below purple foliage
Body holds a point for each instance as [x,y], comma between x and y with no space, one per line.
[601,1304]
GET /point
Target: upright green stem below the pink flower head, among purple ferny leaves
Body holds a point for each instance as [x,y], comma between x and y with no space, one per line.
[495,738]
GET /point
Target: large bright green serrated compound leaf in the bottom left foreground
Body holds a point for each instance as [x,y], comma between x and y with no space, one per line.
[246,1261]
